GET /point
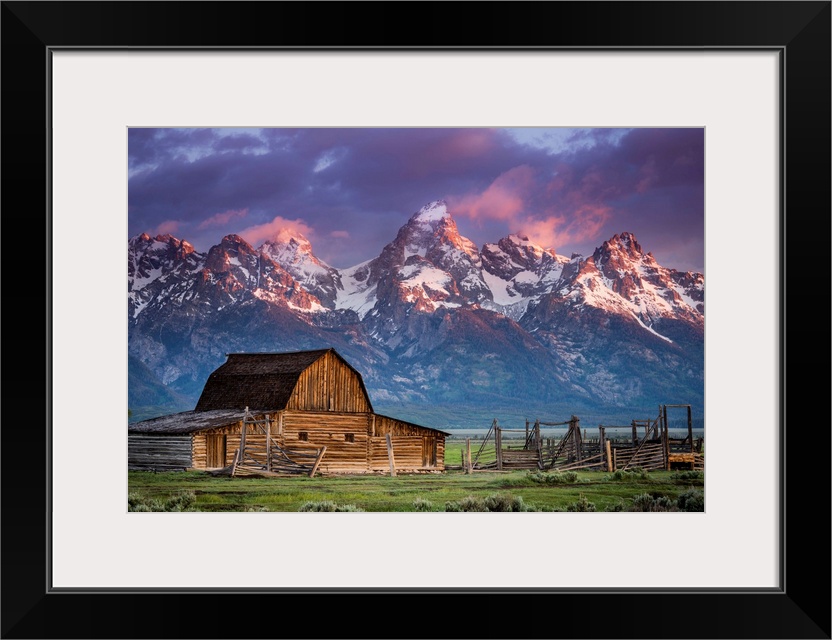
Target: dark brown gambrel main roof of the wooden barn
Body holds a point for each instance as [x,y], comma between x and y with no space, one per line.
[260,380]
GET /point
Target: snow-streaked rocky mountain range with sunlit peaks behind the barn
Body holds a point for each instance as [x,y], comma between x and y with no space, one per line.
[444,332]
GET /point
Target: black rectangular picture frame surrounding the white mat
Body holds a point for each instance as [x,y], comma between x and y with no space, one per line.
[799,31]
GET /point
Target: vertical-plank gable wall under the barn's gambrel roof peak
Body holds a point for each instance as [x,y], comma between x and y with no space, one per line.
[328,384]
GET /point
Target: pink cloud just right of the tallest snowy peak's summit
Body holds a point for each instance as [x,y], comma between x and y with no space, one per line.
[504,199]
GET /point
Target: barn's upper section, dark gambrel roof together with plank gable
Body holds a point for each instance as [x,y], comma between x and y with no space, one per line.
[319,380]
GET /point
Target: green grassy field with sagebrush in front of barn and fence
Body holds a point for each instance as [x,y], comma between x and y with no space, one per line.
[449,491]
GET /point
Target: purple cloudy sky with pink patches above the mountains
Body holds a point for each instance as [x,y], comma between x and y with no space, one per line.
[349,190]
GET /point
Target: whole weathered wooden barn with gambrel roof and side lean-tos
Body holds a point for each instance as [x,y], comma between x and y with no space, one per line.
[296,412]
